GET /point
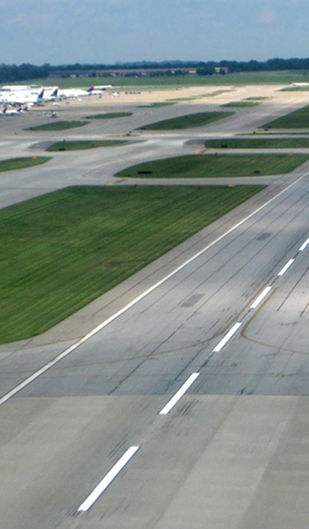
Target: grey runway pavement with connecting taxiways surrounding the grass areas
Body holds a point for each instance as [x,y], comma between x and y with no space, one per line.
[180,398]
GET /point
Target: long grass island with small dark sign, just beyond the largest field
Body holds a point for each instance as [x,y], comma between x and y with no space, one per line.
[215,166]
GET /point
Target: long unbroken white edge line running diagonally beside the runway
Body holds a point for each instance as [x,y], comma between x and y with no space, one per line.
[97,329]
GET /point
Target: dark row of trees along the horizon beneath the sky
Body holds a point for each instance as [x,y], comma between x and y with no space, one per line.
[12,73]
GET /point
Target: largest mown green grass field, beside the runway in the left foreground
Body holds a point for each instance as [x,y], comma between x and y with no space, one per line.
[63,249]
